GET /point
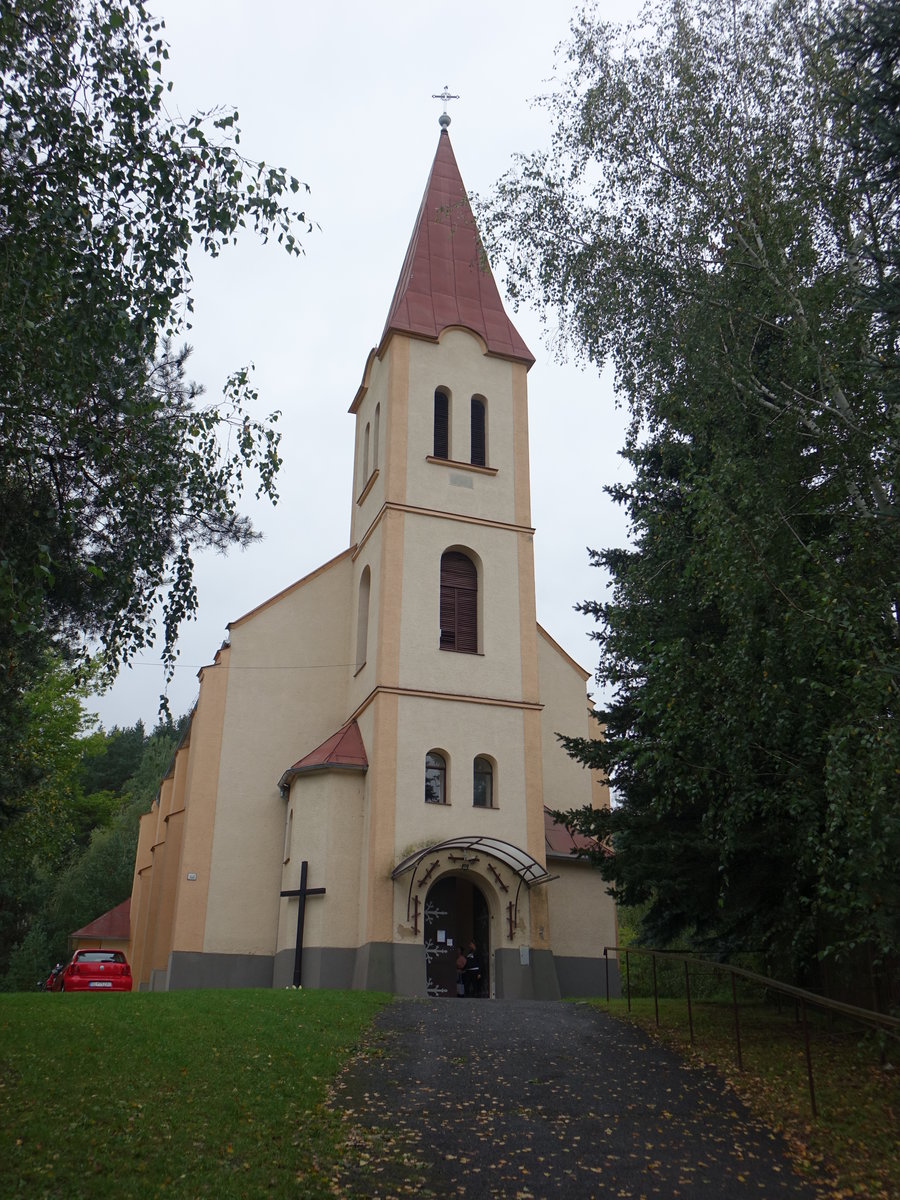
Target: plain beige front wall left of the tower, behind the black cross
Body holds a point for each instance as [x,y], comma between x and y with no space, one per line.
[287,693]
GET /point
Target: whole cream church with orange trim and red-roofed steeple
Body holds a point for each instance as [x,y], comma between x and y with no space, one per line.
[365,784]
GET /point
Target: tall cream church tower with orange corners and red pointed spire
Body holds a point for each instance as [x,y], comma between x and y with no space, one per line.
[442,523]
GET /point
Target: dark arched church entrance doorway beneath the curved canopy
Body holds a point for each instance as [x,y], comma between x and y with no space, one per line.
[455,915]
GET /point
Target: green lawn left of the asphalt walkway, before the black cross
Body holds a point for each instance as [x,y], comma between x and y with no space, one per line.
[196,1094]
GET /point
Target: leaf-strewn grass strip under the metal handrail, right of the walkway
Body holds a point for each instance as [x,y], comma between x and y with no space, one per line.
[855,1143]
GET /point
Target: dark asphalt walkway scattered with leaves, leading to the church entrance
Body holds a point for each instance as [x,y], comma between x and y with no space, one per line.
[542,1100]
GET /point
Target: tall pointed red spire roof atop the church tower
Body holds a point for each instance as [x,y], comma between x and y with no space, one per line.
[446,278]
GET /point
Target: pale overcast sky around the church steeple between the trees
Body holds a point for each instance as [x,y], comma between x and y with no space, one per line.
[341,94]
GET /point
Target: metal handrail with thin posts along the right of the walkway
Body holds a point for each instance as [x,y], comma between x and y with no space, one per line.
[802,998]
